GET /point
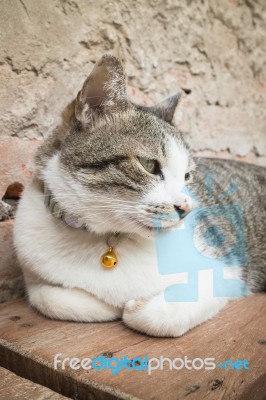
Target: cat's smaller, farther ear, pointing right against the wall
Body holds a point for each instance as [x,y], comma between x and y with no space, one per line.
[165,109]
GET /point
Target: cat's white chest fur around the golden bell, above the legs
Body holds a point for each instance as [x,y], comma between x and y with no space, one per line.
[72,258]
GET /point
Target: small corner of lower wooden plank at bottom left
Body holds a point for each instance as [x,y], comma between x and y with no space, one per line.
[14,387]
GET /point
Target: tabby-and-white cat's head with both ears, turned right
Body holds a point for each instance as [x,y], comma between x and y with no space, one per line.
[121,167]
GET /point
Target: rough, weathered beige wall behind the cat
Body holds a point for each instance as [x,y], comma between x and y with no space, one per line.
[215,50]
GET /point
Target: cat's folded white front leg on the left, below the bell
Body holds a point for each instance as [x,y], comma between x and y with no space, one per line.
[70,304]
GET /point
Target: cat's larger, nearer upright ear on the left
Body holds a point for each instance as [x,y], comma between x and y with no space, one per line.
[103,91]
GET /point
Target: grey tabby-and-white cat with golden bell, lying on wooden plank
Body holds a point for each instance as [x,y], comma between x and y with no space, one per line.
[105,180]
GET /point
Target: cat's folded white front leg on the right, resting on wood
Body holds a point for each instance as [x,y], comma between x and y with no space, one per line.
[157,317]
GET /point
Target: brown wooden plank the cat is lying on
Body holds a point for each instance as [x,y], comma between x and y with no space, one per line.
[29,343]
